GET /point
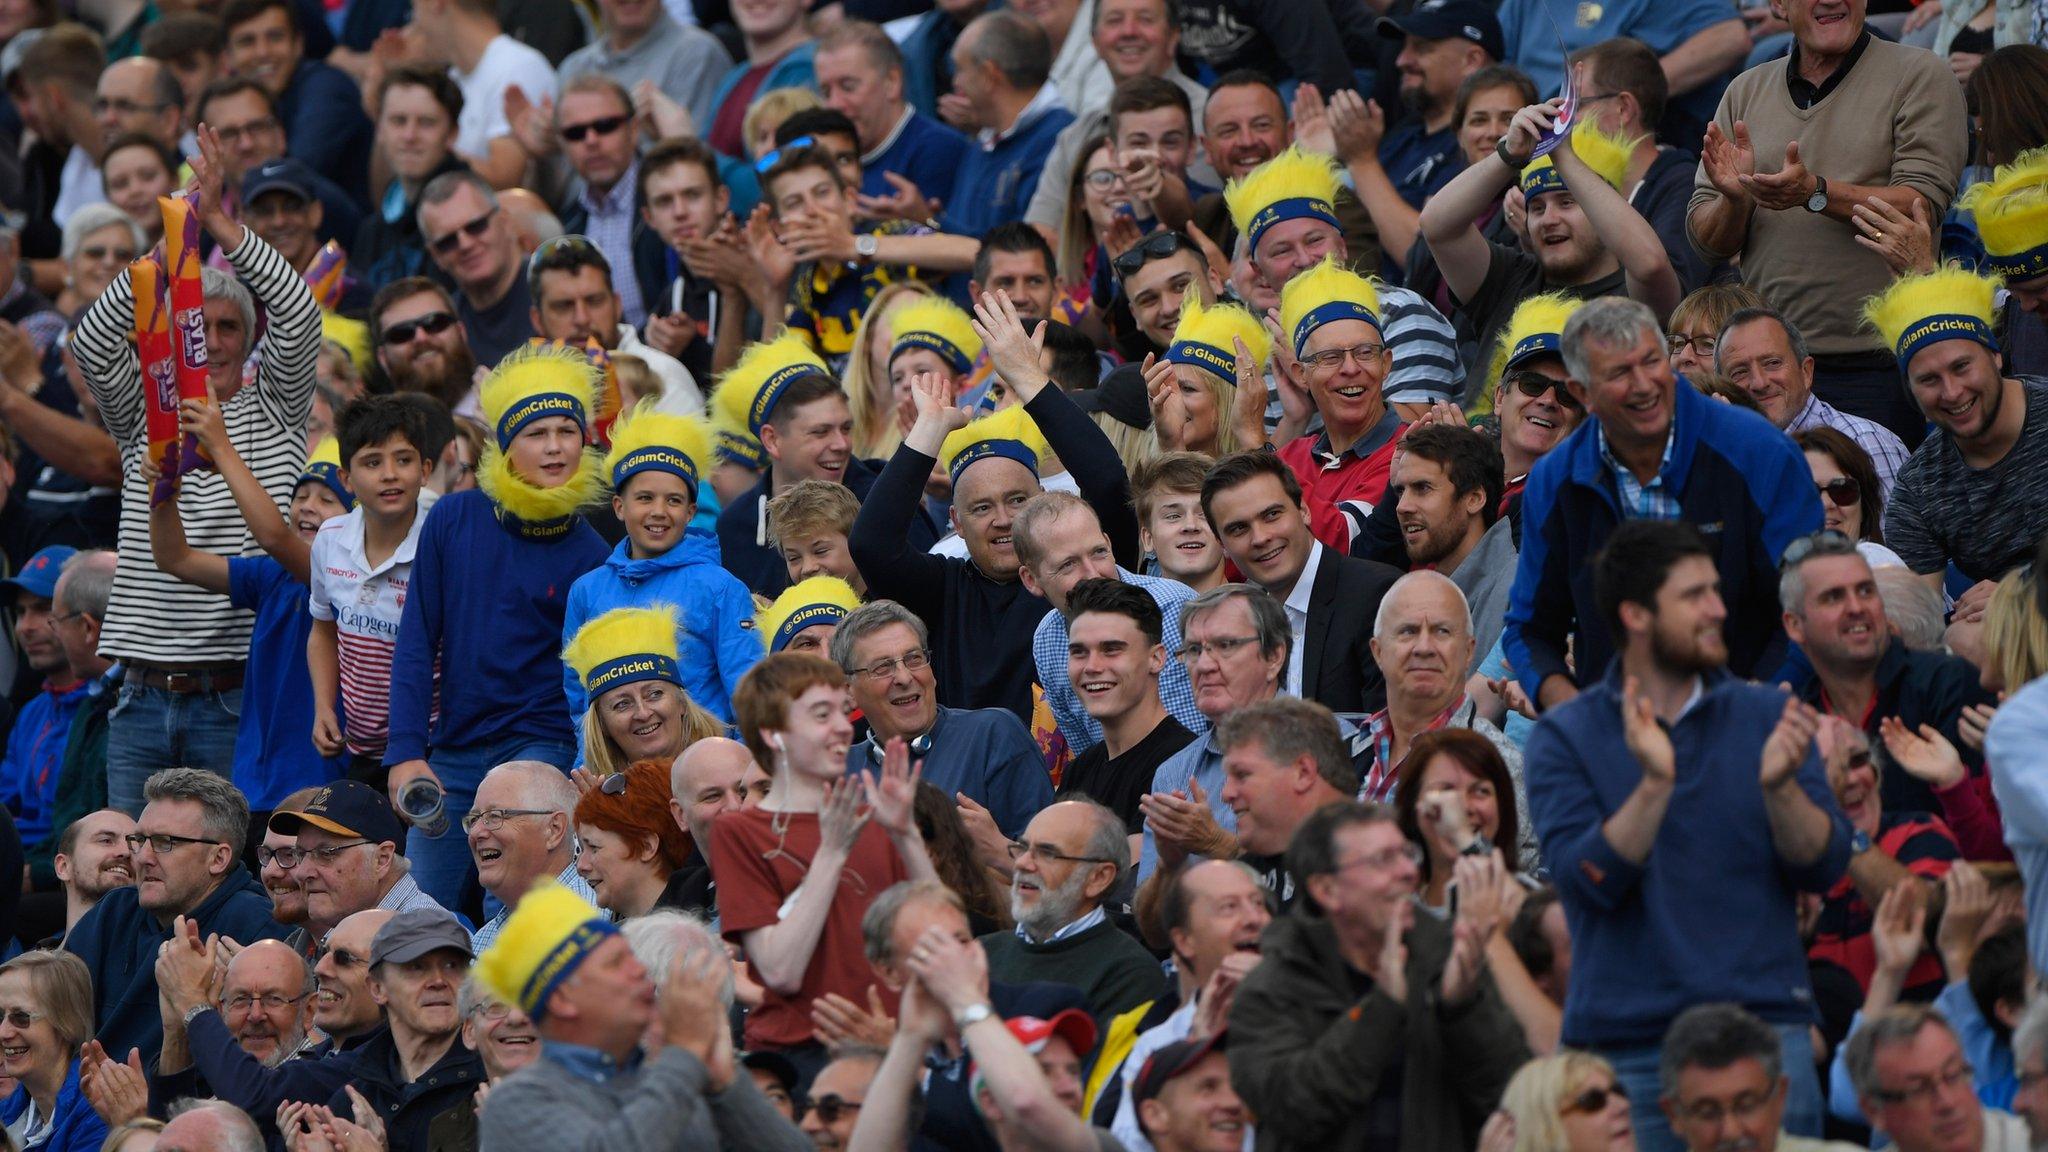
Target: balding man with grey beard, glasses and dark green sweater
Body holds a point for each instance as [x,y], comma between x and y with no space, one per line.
[1068,862]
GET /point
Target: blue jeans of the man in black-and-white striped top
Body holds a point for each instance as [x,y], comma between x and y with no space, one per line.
[151,731]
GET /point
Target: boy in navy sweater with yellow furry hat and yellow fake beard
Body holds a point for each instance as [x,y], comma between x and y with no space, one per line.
[490,587]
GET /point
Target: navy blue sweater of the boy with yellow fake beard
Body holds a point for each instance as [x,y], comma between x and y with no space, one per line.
[486,602]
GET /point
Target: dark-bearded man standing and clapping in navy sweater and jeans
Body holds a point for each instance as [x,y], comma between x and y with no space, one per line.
[1699,909]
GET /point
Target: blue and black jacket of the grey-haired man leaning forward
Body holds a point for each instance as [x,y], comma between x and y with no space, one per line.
[1738,479]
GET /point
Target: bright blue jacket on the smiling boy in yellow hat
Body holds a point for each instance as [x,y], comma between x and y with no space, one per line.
[716,643]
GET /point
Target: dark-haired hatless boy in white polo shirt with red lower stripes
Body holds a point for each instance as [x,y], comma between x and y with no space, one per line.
[359,579]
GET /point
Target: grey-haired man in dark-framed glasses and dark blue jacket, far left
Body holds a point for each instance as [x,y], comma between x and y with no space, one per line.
[189,878]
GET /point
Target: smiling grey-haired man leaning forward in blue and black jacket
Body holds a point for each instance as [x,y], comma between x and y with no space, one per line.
[1650,452]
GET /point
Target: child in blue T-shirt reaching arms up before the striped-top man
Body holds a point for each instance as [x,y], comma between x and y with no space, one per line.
[273,757]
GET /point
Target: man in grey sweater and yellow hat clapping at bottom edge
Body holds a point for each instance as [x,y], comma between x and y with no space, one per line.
[630,1061]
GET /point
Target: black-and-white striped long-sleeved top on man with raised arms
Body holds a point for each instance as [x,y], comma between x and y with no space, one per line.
[155,616]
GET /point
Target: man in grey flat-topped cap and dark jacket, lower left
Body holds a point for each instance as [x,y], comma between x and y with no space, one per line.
[417,1075]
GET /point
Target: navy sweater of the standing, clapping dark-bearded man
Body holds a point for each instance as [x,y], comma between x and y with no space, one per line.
[1709,915]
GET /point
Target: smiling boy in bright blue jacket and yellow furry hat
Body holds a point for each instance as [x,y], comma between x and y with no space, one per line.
[667,561]
